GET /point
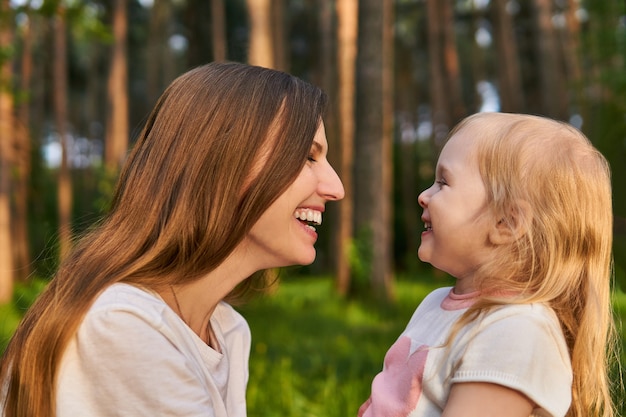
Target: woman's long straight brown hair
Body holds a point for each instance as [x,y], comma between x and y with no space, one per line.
[190,191]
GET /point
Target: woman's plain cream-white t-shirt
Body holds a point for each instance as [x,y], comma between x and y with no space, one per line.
[133,356]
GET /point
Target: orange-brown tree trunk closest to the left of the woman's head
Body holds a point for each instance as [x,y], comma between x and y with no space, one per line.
[116,144]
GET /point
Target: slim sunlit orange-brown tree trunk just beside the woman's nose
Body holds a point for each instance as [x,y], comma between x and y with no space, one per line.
[348,30]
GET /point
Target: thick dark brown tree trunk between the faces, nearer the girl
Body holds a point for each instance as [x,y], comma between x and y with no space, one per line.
[374,137]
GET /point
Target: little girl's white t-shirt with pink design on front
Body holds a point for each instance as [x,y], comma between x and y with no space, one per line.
[518,346]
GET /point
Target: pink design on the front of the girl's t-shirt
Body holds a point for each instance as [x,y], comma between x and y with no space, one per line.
[396,390]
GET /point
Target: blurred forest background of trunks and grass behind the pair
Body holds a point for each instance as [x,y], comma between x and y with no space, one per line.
[78,78]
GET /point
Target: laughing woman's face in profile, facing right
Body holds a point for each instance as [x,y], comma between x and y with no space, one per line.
[285,233]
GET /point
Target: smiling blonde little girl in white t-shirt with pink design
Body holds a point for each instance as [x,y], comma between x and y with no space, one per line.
[520,214]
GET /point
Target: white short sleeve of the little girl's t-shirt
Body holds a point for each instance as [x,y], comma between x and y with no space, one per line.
[523,349]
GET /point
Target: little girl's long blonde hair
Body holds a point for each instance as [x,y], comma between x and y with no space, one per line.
[546,180]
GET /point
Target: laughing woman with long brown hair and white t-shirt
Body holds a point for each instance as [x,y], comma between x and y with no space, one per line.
[229,177]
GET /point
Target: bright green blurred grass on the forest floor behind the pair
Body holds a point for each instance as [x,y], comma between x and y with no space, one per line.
[315,354]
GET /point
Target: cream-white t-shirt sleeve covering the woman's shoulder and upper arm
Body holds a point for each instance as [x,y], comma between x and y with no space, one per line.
[123,363]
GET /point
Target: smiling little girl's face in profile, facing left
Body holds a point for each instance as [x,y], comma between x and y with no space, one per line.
[455,215]
